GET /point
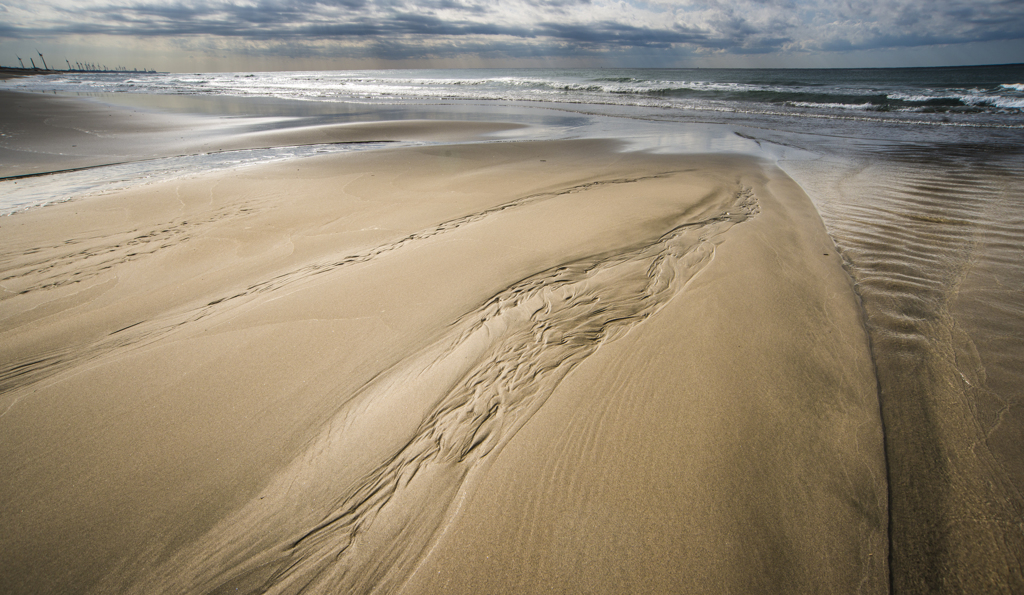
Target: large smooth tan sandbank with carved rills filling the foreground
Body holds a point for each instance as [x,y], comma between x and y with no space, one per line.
[501,368]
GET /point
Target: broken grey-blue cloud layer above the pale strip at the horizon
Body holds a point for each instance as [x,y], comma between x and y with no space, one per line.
[404,29]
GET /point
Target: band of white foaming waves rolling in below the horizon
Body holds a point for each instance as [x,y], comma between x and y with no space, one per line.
[781,94]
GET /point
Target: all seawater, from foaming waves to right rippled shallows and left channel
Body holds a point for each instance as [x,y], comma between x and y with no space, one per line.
[918,176]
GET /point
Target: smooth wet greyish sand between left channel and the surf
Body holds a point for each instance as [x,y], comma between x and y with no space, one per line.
[57,134]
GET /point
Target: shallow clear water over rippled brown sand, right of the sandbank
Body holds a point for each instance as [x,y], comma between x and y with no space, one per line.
[933,235]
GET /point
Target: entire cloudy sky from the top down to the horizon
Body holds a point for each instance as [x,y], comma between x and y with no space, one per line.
[261,35]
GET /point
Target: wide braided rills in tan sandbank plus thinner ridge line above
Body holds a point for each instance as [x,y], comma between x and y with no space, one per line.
[335,522]
